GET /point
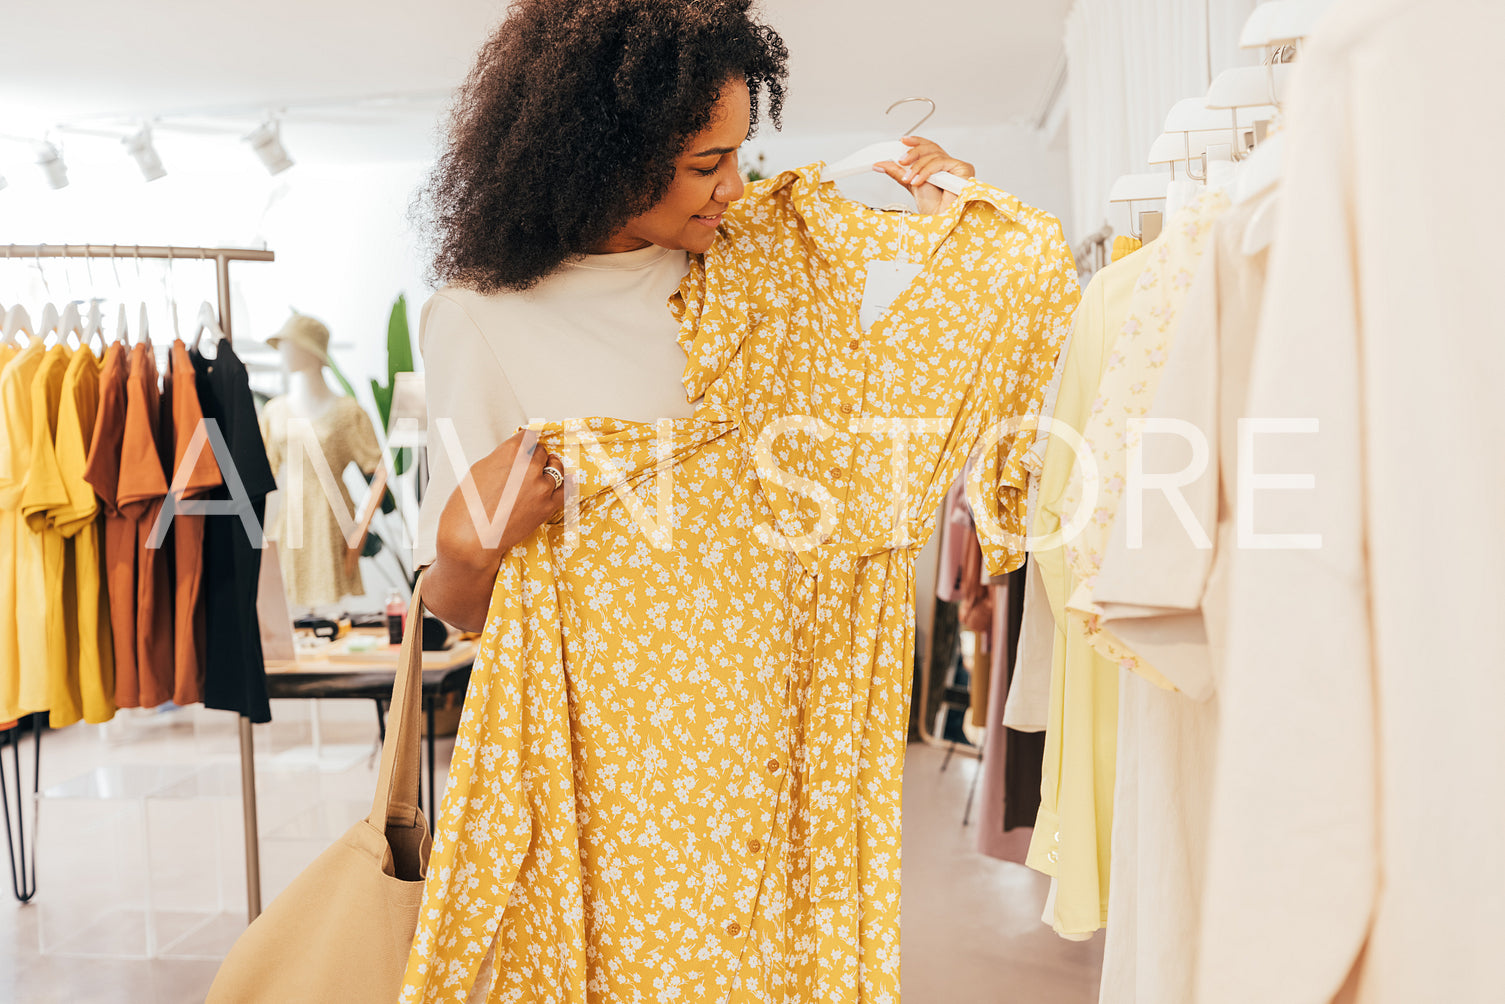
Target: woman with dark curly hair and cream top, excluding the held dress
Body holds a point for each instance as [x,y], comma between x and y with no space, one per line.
[594,148]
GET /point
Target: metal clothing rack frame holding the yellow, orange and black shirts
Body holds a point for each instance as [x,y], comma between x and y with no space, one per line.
[222,258]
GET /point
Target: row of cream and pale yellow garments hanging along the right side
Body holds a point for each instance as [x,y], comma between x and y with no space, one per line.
[1268,695]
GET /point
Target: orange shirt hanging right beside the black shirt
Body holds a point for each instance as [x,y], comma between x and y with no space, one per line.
[181,407]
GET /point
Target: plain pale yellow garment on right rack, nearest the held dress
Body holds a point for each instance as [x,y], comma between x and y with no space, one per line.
[1077,777]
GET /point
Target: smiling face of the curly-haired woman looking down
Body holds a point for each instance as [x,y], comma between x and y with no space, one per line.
[705,183]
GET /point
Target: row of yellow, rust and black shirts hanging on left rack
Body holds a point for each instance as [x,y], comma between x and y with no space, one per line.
[100,606]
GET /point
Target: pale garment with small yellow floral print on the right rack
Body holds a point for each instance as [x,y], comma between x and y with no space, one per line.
[1128,391]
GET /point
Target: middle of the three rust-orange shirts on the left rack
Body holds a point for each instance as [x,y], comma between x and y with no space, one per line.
[139,494]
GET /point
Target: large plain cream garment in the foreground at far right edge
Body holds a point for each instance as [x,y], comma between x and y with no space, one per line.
[1358,814]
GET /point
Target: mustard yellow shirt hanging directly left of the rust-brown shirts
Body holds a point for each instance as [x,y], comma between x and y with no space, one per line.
[90,684]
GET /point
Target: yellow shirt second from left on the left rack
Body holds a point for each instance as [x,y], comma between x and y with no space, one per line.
[44,604]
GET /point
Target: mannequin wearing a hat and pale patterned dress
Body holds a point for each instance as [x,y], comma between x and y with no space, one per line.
[309,422]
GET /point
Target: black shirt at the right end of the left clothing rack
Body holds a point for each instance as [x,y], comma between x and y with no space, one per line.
[236,675]
